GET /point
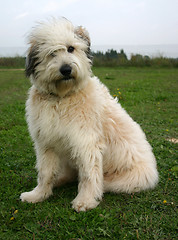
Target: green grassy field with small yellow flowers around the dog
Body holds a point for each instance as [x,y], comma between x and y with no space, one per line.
[150,97]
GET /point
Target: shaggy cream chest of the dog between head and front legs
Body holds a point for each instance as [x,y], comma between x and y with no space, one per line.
[56,124]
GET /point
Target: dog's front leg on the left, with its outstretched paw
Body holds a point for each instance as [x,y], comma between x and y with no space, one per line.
[47,166]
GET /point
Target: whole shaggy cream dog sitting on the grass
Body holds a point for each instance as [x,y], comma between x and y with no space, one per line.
[79,130]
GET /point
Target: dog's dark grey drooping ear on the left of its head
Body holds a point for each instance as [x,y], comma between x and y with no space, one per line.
[31,60]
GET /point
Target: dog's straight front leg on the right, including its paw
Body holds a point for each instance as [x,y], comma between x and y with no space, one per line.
[90,188]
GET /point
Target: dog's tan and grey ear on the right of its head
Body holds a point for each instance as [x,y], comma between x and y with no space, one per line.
[82,33]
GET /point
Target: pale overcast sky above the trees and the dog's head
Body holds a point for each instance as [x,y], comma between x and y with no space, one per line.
[112,22]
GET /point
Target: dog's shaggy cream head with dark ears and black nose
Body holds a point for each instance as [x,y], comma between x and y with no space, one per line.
[59,59]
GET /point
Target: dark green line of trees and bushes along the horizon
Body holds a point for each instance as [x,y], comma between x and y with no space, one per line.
[110,58]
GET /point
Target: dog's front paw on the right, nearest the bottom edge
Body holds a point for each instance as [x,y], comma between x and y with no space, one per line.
[82,205]
